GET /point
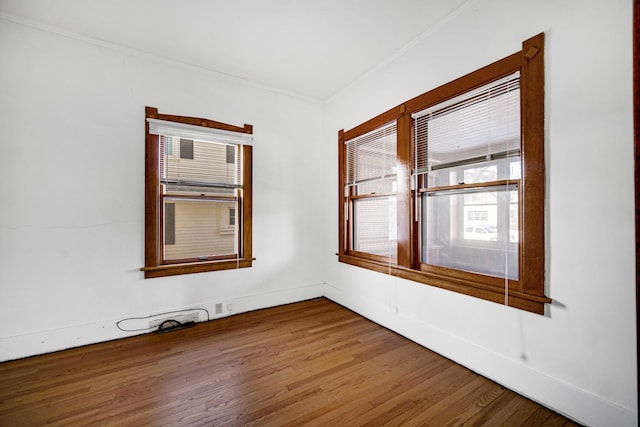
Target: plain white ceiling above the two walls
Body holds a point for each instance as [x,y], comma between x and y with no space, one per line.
[310,48]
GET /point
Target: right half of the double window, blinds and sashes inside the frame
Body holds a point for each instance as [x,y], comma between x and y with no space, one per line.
[467,165]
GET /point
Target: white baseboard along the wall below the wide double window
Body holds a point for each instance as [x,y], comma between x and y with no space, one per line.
[564,398]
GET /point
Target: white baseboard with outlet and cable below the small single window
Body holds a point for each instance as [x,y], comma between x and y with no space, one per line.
[48,341]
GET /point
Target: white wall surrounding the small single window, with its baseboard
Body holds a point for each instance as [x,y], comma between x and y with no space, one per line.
[72,190]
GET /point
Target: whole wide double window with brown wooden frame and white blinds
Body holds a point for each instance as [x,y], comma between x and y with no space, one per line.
[447,189]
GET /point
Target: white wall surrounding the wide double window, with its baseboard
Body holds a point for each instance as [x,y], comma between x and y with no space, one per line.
[579,358]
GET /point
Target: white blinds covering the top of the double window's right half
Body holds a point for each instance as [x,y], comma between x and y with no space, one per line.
[482,124]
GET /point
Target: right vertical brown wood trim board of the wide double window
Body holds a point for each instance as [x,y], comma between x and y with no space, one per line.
[532,244]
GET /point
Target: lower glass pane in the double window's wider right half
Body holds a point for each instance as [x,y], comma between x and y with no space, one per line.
[474,232]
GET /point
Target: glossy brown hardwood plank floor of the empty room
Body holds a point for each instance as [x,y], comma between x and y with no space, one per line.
[309,363]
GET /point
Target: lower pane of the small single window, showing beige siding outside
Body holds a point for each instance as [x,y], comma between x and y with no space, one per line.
[200,229]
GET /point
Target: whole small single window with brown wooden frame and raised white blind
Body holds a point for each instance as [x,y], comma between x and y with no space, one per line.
[198,195]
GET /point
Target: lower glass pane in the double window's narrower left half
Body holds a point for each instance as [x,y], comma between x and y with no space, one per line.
[375,227]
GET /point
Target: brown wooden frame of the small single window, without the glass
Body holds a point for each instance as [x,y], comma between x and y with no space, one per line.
[154,264]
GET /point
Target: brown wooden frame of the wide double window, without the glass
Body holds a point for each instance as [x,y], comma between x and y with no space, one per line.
[527,292]
